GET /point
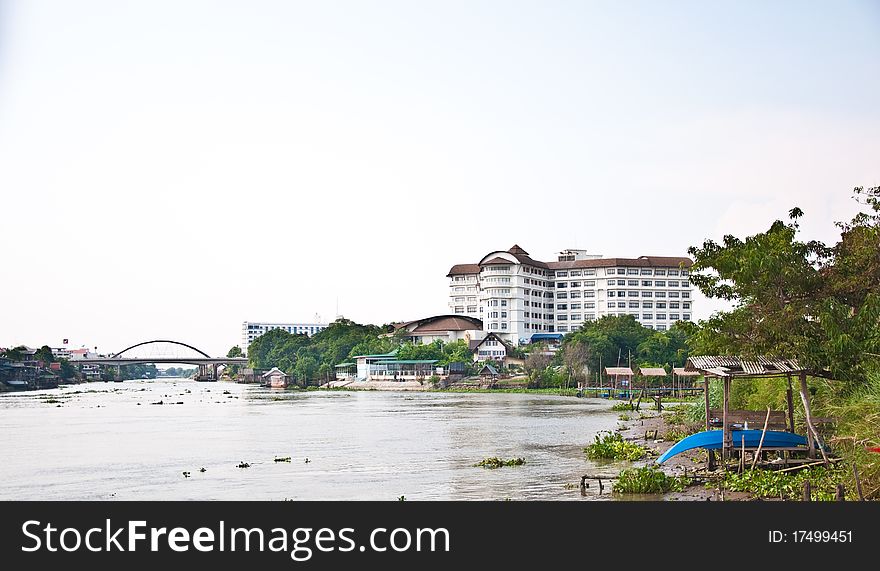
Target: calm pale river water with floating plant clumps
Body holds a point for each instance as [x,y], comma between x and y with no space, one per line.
[109,441]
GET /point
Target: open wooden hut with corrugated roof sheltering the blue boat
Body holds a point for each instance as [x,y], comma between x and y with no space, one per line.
[728,368]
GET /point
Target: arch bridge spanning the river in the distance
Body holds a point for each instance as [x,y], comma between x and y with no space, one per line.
[166,351]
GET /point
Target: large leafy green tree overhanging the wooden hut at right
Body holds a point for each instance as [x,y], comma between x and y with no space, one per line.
[799,299]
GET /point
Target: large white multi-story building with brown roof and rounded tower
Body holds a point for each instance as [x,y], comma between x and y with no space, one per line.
[516,296]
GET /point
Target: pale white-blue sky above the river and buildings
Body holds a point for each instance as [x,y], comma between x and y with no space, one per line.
[169,169]
